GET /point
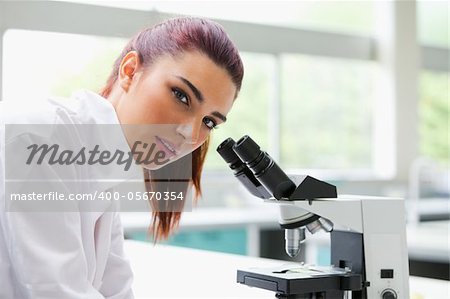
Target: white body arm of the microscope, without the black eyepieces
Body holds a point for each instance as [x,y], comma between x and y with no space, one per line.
[382,222]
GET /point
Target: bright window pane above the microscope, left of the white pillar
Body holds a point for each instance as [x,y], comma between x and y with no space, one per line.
[326,113]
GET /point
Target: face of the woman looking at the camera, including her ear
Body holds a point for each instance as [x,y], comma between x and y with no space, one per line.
[176,102]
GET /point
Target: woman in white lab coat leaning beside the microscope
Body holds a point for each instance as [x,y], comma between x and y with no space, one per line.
[184,73]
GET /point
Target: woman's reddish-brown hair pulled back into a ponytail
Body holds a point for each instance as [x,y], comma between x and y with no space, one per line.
[175,36]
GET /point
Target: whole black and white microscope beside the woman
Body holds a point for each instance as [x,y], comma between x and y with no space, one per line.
[369,257]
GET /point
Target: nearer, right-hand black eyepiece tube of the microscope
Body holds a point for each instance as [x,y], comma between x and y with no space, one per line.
[264,168]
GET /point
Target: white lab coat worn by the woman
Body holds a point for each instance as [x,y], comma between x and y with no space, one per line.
[63,255]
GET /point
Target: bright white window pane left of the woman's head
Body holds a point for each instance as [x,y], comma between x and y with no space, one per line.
[58,63]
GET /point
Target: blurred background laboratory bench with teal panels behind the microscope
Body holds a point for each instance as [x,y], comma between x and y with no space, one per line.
[255,232]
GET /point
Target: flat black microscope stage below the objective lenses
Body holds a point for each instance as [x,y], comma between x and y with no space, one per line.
[300,279]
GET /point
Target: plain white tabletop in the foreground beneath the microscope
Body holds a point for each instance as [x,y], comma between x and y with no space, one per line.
[173,272]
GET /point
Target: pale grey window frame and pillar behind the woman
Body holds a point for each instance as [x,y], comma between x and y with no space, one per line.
[389,163]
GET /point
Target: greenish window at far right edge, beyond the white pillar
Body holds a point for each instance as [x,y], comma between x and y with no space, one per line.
[434,113]
